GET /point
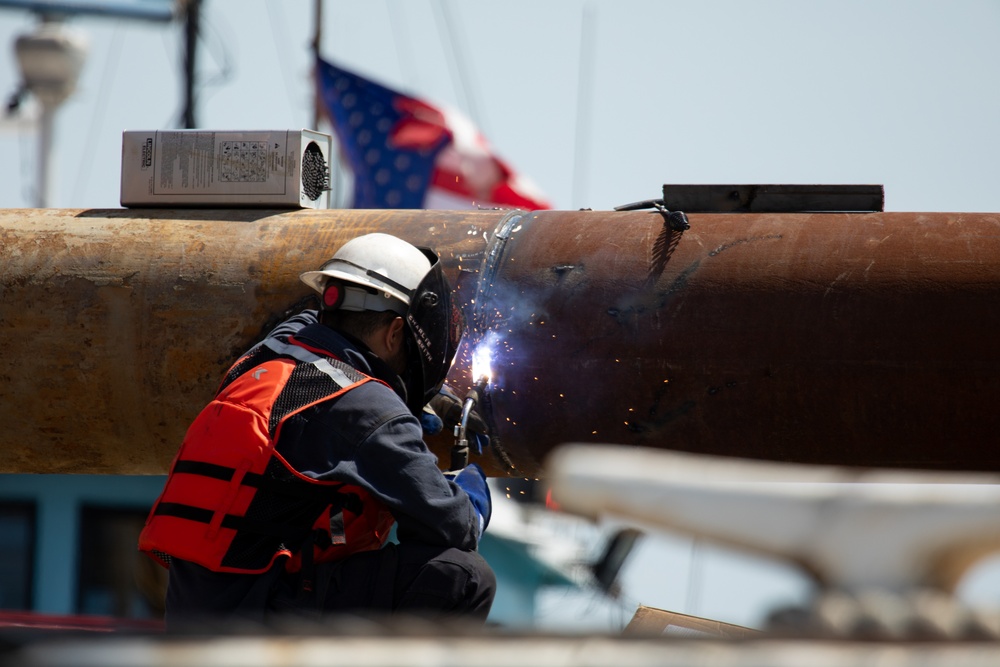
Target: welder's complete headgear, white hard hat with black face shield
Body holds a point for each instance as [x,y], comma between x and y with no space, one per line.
[381,272]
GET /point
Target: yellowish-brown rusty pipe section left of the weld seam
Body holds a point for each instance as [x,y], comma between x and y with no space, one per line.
[116,325]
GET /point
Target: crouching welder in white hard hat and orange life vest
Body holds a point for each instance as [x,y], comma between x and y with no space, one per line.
[285,488]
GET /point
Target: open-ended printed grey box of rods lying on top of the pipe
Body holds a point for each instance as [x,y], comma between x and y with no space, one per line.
[206,168]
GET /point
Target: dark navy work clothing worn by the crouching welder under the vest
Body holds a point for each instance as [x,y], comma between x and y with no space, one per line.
[369,438]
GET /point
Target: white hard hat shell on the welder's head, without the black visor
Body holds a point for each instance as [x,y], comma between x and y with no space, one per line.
[382,263]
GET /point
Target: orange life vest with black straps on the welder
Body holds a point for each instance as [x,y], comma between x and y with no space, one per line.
[232,503]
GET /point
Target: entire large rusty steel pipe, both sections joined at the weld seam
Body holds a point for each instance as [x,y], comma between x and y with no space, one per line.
[853,339]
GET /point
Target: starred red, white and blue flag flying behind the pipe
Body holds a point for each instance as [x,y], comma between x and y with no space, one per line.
[406,153]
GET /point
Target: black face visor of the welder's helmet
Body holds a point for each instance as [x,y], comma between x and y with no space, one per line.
[435,327]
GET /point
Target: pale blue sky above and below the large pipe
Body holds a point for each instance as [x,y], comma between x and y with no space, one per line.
[599,102]
